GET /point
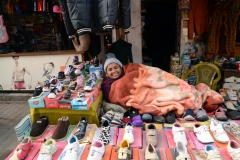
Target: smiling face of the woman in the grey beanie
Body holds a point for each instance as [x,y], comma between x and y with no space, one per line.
[113,70]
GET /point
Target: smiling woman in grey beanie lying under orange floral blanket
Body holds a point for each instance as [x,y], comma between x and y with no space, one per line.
[152,90]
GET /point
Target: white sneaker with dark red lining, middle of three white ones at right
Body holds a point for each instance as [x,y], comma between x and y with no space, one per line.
[202,133]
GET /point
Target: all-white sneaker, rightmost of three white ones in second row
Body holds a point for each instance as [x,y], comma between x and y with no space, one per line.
[218,132]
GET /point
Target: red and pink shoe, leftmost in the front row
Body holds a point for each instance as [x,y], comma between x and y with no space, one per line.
[21,151]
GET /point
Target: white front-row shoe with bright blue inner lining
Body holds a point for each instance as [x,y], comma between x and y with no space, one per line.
[71,150]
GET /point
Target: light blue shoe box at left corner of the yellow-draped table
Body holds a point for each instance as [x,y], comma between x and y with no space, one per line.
[38,102]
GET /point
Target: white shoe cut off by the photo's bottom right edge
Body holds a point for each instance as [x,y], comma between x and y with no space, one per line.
[233,149]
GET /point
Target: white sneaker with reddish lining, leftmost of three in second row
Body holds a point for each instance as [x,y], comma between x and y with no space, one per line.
[178,132]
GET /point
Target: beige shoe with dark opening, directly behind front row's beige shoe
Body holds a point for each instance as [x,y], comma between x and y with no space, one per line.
[151,135]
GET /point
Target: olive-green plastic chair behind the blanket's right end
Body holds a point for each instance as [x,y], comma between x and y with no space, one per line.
[205,73]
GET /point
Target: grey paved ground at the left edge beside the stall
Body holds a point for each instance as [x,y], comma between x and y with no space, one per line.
[11,112]
